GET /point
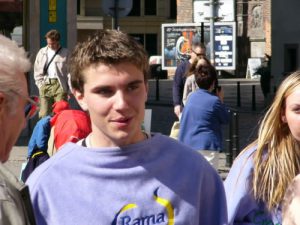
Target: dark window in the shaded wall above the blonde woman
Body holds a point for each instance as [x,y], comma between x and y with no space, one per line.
[290,57]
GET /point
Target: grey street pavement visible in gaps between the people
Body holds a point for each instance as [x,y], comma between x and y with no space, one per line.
[163,117]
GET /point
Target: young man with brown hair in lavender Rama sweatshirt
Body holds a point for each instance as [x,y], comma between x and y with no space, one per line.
[119,174]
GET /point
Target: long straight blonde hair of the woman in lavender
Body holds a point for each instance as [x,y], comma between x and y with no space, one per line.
[275,170]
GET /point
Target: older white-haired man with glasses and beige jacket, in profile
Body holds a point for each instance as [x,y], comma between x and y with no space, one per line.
[15,107]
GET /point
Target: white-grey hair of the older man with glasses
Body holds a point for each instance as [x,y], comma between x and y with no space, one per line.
[13,64]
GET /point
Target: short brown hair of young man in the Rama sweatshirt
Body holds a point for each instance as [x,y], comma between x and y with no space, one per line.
[109,47]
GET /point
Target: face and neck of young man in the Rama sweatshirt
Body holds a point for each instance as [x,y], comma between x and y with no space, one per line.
[115,97]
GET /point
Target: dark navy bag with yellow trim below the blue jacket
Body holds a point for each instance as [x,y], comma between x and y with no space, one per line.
[34,161]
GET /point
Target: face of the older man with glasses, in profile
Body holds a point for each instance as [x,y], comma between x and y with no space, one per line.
[12,123]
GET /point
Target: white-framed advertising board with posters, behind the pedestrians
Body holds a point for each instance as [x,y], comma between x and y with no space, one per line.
[177,40]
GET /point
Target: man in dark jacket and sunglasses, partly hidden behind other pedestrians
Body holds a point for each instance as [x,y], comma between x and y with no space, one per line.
[197,50]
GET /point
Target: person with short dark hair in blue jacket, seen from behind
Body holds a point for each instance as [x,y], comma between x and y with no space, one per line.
[203,115]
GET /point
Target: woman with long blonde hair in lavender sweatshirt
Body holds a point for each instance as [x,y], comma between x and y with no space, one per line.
[259,177]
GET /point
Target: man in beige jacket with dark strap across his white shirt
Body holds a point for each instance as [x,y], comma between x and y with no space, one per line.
[50,73]
